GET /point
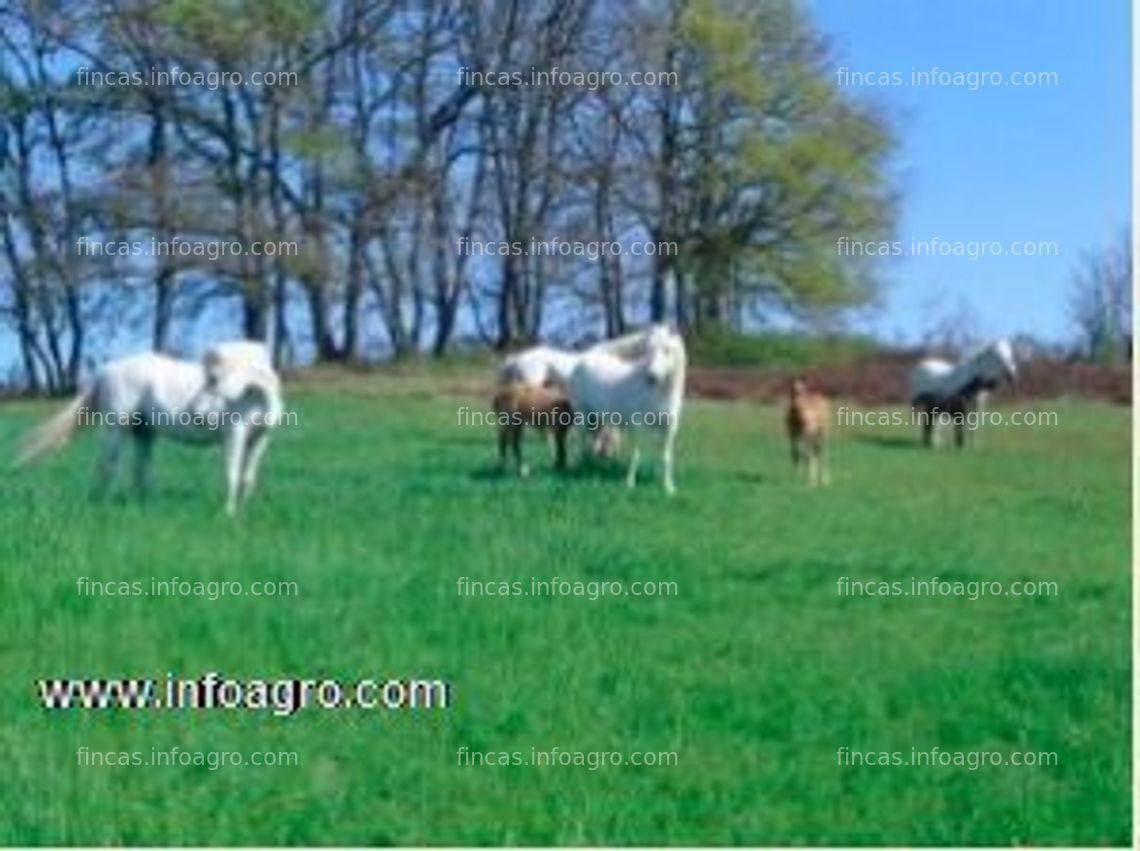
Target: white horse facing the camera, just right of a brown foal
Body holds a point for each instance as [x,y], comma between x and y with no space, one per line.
[644,394]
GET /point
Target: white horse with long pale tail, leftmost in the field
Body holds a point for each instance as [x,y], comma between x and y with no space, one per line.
[233,398]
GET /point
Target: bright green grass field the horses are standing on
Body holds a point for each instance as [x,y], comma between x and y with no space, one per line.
[755,674]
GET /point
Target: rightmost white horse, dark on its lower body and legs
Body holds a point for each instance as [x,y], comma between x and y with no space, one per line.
[941,387]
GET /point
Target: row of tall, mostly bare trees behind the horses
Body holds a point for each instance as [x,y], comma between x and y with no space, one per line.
[372,144]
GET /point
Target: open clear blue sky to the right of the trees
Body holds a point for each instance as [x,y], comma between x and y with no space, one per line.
[998,164]
